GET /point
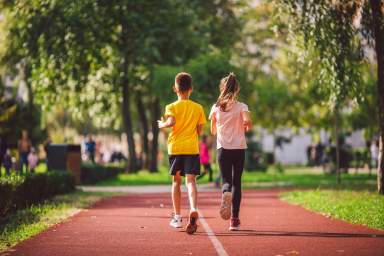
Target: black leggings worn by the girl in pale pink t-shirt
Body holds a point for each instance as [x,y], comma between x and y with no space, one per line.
[231,163]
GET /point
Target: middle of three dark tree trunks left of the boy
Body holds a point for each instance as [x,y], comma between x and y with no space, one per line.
[144,132]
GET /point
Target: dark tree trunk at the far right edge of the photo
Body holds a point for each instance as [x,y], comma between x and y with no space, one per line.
[378,23]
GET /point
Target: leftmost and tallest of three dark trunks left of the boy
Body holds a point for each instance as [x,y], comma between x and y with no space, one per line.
[132,167]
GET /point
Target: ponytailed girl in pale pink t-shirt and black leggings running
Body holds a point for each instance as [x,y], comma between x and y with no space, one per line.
[230,119]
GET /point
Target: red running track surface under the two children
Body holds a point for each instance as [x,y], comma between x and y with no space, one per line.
[138,225]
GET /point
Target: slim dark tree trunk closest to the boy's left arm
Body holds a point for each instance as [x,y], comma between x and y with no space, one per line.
[155,115]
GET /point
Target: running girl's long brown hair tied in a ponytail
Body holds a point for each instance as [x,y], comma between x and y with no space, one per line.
[229,88]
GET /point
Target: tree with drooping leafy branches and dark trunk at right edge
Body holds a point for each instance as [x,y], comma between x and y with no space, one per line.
[335,32]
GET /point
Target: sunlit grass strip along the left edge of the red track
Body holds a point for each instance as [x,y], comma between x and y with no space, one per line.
[31,221]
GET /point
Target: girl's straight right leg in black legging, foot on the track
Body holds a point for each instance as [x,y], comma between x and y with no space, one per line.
[238,166]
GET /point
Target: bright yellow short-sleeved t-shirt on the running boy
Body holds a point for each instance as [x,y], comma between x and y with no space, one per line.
[183,139]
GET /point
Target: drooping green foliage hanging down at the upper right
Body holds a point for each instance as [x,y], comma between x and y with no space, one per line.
[327,29]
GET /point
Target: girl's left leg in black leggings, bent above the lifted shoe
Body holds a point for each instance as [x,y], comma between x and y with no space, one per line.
[225,165]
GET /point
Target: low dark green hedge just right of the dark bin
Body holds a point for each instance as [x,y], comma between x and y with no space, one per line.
[93,173]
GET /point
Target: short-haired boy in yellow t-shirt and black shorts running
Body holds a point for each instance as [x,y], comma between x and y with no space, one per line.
[186,118]
